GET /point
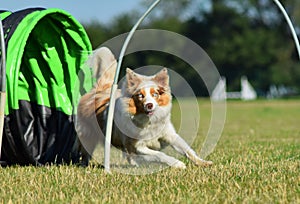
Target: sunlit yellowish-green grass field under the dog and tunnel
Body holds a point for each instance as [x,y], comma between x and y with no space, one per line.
[257,160]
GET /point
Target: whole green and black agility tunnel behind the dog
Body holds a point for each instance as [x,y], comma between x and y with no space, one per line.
[46,50]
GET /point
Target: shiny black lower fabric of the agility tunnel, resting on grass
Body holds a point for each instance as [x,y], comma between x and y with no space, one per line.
[38,135]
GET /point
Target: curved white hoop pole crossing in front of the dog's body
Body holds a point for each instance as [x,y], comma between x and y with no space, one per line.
[112,101]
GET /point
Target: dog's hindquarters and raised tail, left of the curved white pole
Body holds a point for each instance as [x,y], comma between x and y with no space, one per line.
[92,105]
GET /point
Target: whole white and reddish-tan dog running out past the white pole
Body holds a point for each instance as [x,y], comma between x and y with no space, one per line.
[142,118]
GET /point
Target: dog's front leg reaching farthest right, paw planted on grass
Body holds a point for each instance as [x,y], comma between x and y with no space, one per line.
[182,147]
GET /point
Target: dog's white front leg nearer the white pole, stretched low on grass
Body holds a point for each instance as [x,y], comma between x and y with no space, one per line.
[157,156]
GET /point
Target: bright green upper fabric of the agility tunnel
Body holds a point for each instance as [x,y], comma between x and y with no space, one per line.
[44,55]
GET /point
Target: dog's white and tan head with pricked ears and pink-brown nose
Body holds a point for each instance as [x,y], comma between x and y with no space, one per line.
[147,94]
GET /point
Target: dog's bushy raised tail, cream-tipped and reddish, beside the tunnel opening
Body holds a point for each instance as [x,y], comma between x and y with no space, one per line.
[104,66]
